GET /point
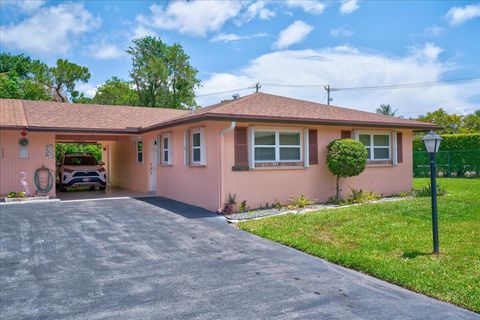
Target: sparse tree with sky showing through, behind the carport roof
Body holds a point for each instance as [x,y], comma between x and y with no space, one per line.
[62,78]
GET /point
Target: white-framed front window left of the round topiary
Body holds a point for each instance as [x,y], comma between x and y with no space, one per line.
[277,146]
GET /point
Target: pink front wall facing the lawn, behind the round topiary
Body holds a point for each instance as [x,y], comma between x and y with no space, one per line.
[259,186]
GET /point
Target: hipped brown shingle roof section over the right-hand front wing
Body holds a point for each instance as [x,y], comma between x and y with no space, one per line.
[268,107]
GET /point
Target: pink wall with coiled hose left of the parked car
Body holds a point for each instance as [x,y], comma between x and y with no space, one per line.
[11,164]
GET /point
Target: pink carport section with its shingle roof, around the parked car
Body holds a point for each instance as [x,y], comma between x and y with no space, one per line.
[29,131]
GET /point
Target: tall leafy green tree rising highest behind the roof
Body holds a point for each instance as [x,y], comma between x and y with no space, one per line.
[162,74]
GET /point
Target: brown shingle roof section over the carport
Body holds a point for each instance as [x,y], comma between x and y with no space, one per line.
[82,117]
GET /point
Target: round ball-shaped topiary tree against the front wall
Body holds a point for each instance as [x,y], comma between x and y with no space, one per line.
[346,158]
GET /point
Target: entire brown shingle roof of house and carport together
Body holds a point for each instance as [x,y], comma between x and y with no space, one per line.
[48,115]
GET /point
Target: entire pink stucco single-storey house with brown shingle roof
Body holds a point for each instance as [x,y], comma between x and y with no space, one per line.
[261,147]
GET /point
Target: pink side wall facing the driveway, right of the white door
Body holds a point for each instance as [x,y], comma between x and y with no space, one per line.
[196,185]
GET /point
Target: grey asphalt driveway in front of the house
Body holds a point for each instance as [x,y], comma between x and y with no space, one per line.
[158,259]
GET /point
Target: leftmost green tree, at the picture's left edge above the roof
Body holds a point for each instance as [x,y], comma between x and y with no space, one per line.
[17,80]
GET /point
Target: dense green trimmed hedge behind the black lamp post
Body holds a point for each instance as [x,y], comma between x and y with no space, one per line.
[459,155]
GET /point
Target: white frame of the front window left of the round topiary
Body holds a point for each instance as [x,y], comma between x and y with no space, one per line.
[277,146]
